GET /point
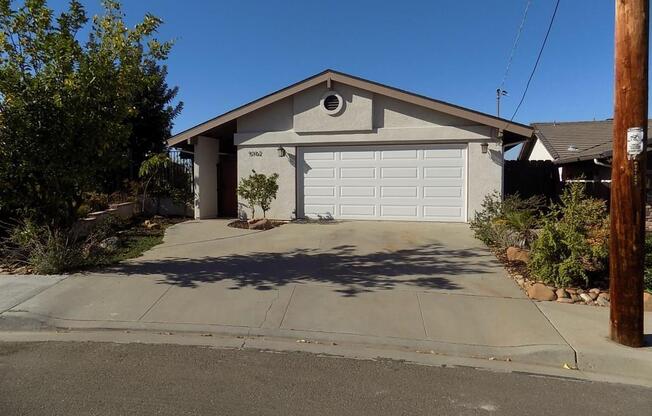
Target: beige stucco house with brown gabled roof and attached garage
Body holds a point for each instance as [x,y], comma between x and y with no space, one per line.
[348,148]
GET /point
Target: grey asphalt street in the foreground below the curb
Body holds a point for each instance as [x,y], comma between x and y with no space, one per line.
[54,378]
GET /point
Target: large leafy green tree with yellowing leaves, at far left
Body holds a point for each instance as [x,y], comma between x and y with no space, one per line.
[67,107]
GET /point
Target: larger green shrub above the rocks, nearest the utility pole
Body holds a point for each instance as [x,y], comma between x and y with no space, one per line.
[572,246]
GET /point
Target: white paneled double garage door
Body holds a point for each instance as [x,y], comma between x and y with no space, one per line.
[415,182]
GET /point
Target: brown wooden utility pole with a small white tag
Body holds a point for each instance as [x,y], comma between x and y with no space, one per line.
[628,172]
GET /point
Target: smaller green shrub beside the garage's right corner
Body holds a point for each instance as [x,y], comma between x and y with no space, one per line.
[509,222]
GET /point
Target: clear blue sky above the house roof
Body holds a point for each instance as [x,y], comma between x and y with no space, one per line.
[230,52]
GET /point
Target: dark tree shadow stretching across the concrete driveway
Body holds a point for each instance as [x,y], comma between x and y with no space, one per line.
[430,267]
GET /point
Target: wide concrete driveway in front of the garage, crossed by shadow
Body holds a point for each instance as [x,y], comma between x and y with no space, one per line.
[414,286]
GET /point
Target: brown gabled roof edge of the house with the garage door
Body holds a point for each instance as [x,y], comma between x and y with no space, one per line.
[331,75]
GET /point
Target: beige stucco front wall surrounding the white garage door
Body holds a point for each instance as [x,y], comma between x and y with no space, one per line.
[366,119]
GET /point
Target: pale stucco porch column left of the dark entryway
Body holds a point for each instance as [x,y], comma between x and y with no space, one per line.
[205,171]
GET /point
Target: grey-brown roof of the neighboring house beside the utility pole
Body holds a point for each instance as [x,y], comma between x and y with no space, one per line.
[592,139]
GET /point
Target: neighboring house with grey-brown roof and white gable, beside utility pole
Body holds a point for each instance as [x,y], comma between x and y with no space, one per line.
[581,149]
